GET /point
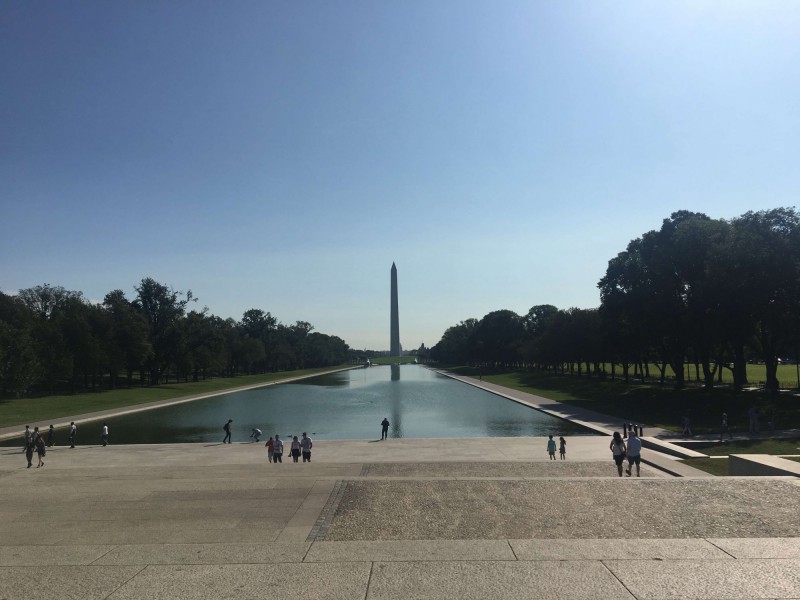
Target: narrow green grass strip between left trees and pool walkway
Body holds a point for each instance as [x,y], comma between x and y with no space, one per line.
[22,411]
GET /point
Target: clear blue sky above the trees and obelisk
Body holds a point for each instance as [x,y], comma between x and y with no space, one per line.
[282,154]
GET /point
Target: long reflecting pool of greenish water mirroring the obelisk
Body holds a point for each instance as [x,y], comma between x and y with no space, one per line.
[418,402]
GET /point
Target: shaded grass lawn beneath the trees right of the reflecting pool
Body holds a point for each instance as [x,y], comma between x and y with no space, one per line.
[651,404]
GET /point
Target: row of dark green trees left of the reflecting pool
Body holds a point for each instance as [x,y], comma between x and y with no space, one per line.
[49,336]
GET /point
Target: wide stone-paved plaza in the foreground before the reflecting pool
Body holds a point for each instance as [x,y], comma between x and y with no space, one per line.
[487,518]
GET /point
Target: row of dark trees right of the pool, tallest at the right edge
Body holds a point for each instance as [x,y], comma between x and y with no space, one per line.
[714,293]
